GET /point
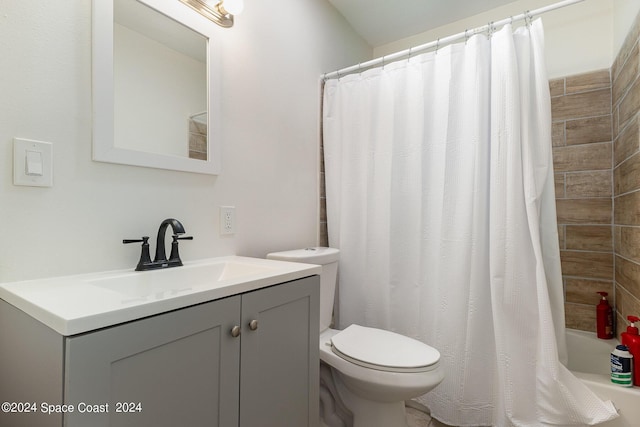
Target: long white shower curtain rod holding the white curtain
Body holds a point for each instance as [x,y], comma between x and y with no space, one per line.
[445,40]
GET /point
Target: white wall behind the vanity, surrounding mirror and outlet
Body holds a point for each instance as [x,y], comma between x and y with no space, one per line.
[272,61]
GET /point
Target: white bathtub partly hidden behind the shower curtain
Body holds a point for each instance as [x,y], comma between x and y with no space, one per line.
[589,361]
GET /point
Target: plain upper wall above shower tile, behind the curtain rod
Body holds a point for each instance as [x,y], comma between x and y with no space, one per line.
[578,38]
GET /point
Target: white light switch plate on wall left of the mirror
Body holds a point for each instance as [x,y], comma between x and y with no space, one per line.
[20,177]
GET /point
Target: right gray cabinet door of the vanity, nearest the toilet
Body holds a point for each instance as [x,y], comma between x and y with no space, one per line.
[279,382]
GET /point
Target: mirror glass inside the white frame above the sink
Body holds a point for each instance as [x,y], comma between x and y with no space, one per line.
[156,59]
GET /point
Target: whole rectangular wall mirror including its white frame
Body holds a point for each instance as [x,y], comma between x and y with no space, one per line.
[155,97]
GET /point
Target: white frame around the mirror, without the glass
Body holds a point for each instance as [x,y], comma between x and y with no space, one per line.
[104,149]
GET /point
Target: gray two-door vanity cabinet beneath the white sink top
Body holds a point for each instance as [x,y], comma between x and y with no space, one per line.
[186,368]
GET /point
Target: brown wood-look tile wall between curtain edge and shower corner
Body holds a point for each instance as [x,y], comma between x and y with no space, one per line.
[582,157]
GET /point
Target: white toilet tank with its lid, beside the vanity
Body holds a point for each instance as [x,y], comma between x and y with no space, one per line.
[328,259]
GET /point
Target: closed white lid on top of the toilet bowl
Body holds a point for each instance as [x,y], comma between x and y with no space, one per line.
[383,350]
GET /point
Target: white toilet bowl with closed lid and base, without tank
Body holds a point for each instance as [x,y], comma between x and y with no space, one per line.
[375,392]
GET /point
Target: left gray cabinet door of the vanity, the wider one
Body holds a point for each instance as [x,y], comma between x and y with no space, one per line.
[182,367]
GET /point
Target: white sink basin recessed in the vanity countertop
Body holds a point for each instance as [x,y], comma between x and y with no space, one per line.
[160,284]
